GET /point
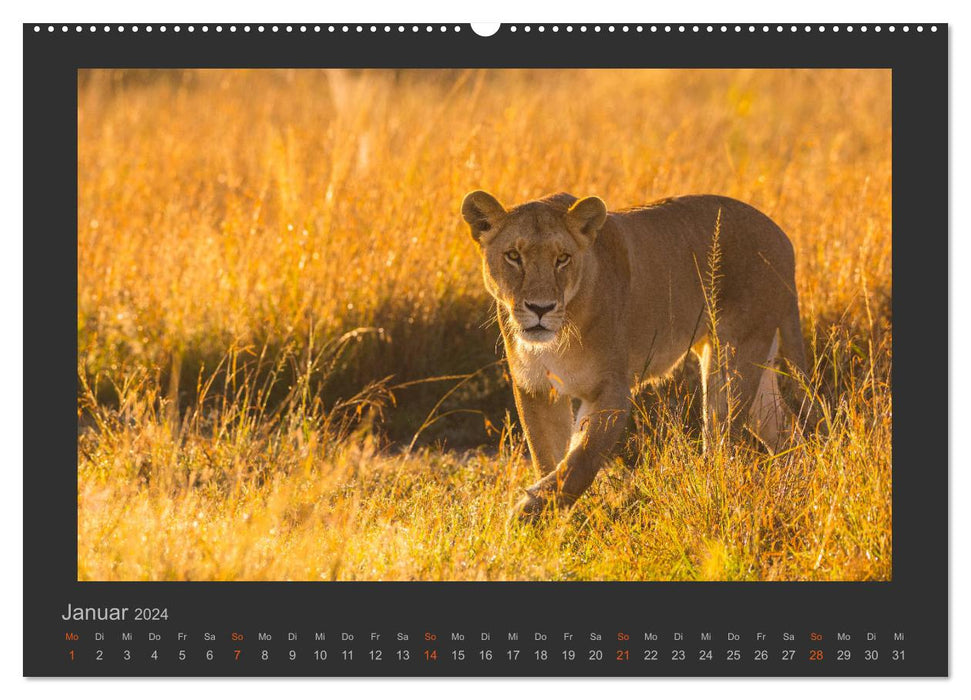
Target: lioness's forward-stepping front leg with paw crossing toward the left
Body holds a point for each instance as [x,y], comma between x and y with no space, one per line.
[601,424]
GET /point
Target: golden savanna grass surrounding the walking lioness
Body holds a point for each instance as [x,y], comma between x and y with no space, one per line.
[286,364]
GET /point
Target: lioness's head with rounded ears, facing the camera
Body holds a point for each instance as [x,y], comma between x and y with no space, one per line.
[534,257]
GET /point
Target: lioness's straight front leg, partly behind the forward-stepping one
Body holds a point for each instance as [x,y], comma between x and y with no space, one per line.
[547,421]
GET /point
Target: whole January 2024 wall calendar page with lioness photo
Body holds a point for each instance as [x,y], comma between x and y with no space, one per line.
[451,350]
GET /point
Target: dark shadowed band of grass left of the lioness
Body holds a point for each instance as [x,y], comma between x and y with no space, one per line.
[419,360]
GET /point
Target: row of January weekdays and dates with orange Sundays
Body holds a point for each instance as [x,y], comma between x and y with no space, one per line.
[330,650]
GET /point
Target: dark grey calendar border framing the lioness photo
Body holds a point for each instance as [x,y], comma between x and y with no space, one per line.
[913,604]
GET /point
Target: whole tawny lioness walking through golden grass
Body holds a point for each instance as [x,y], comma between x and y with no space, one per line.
[592,304]
